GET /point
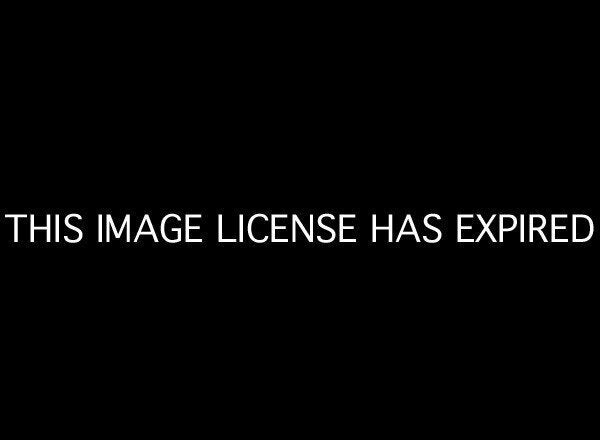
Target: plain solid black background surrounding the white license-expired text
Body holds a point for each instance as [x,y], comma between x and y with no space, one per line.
[381,113]
